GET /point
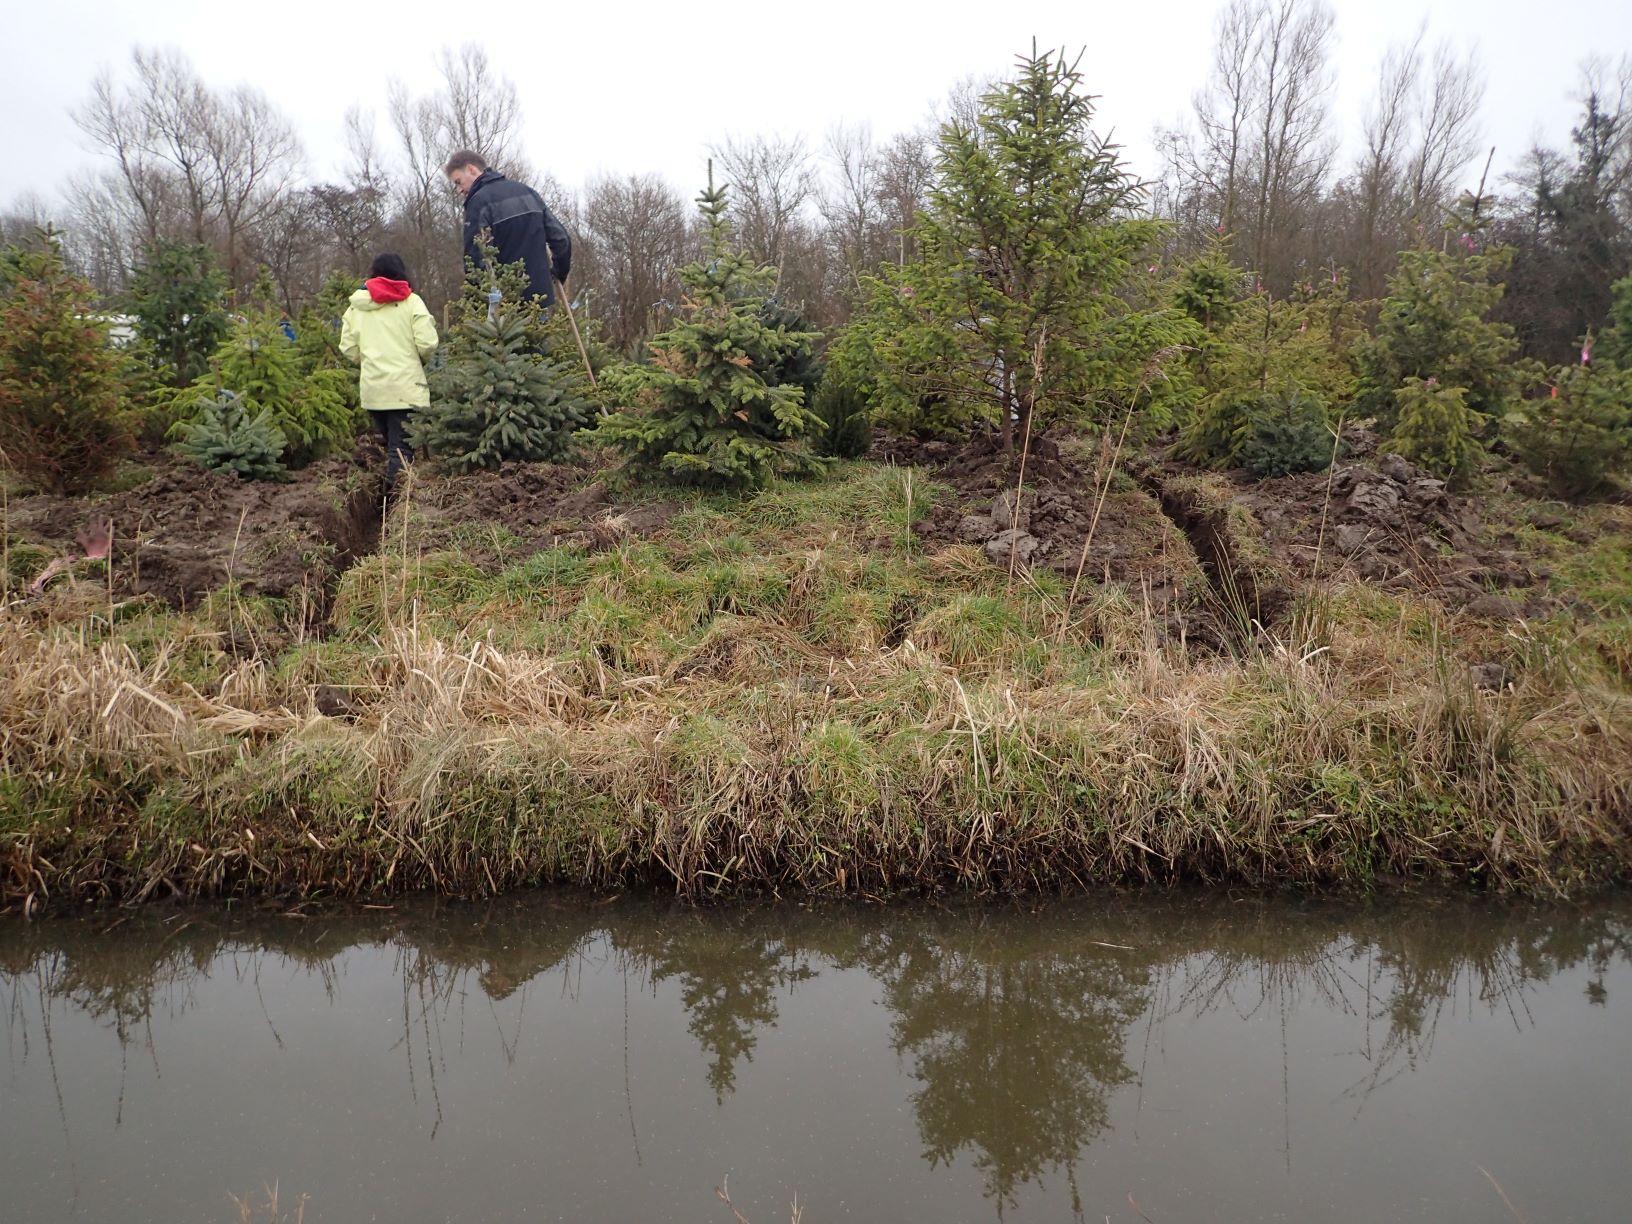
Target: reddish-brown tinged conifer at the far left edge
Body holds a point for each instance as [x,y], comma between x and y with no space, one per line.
[61,412]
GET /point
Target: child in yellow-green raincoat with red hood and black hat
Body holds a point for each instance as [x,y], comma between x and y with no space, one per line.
[391,334]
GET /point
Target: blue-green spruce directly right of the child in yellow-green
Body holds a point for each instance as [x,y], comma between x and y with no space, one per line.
[495,397]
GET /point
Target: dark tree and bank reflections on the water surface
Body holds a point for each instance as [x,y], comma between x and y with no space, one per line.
[1024,1039]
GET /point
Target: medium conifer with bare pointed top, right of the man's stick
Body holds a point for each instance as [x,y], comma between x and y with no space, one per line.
[709,415]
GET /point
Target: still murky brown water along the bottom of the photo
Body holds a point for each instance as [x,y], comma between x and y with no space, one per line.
[556,1060]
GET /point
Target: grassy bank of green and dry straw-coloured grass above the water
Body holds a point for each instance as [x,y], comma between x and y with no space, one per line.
[792,694]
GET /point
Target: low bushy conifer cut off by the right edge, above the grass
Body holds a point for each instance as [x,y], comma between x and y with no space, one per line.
[1581,437]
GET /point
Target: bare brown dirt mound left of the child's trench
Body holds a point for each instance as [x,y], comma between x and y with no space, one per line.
[187,531]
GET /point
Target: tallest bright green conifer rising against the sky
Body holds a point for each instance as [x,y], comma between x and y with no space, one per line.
[1016,303]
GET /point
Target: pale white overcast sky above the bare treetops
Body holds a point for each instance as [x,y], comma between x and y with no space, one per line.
[628,87]
